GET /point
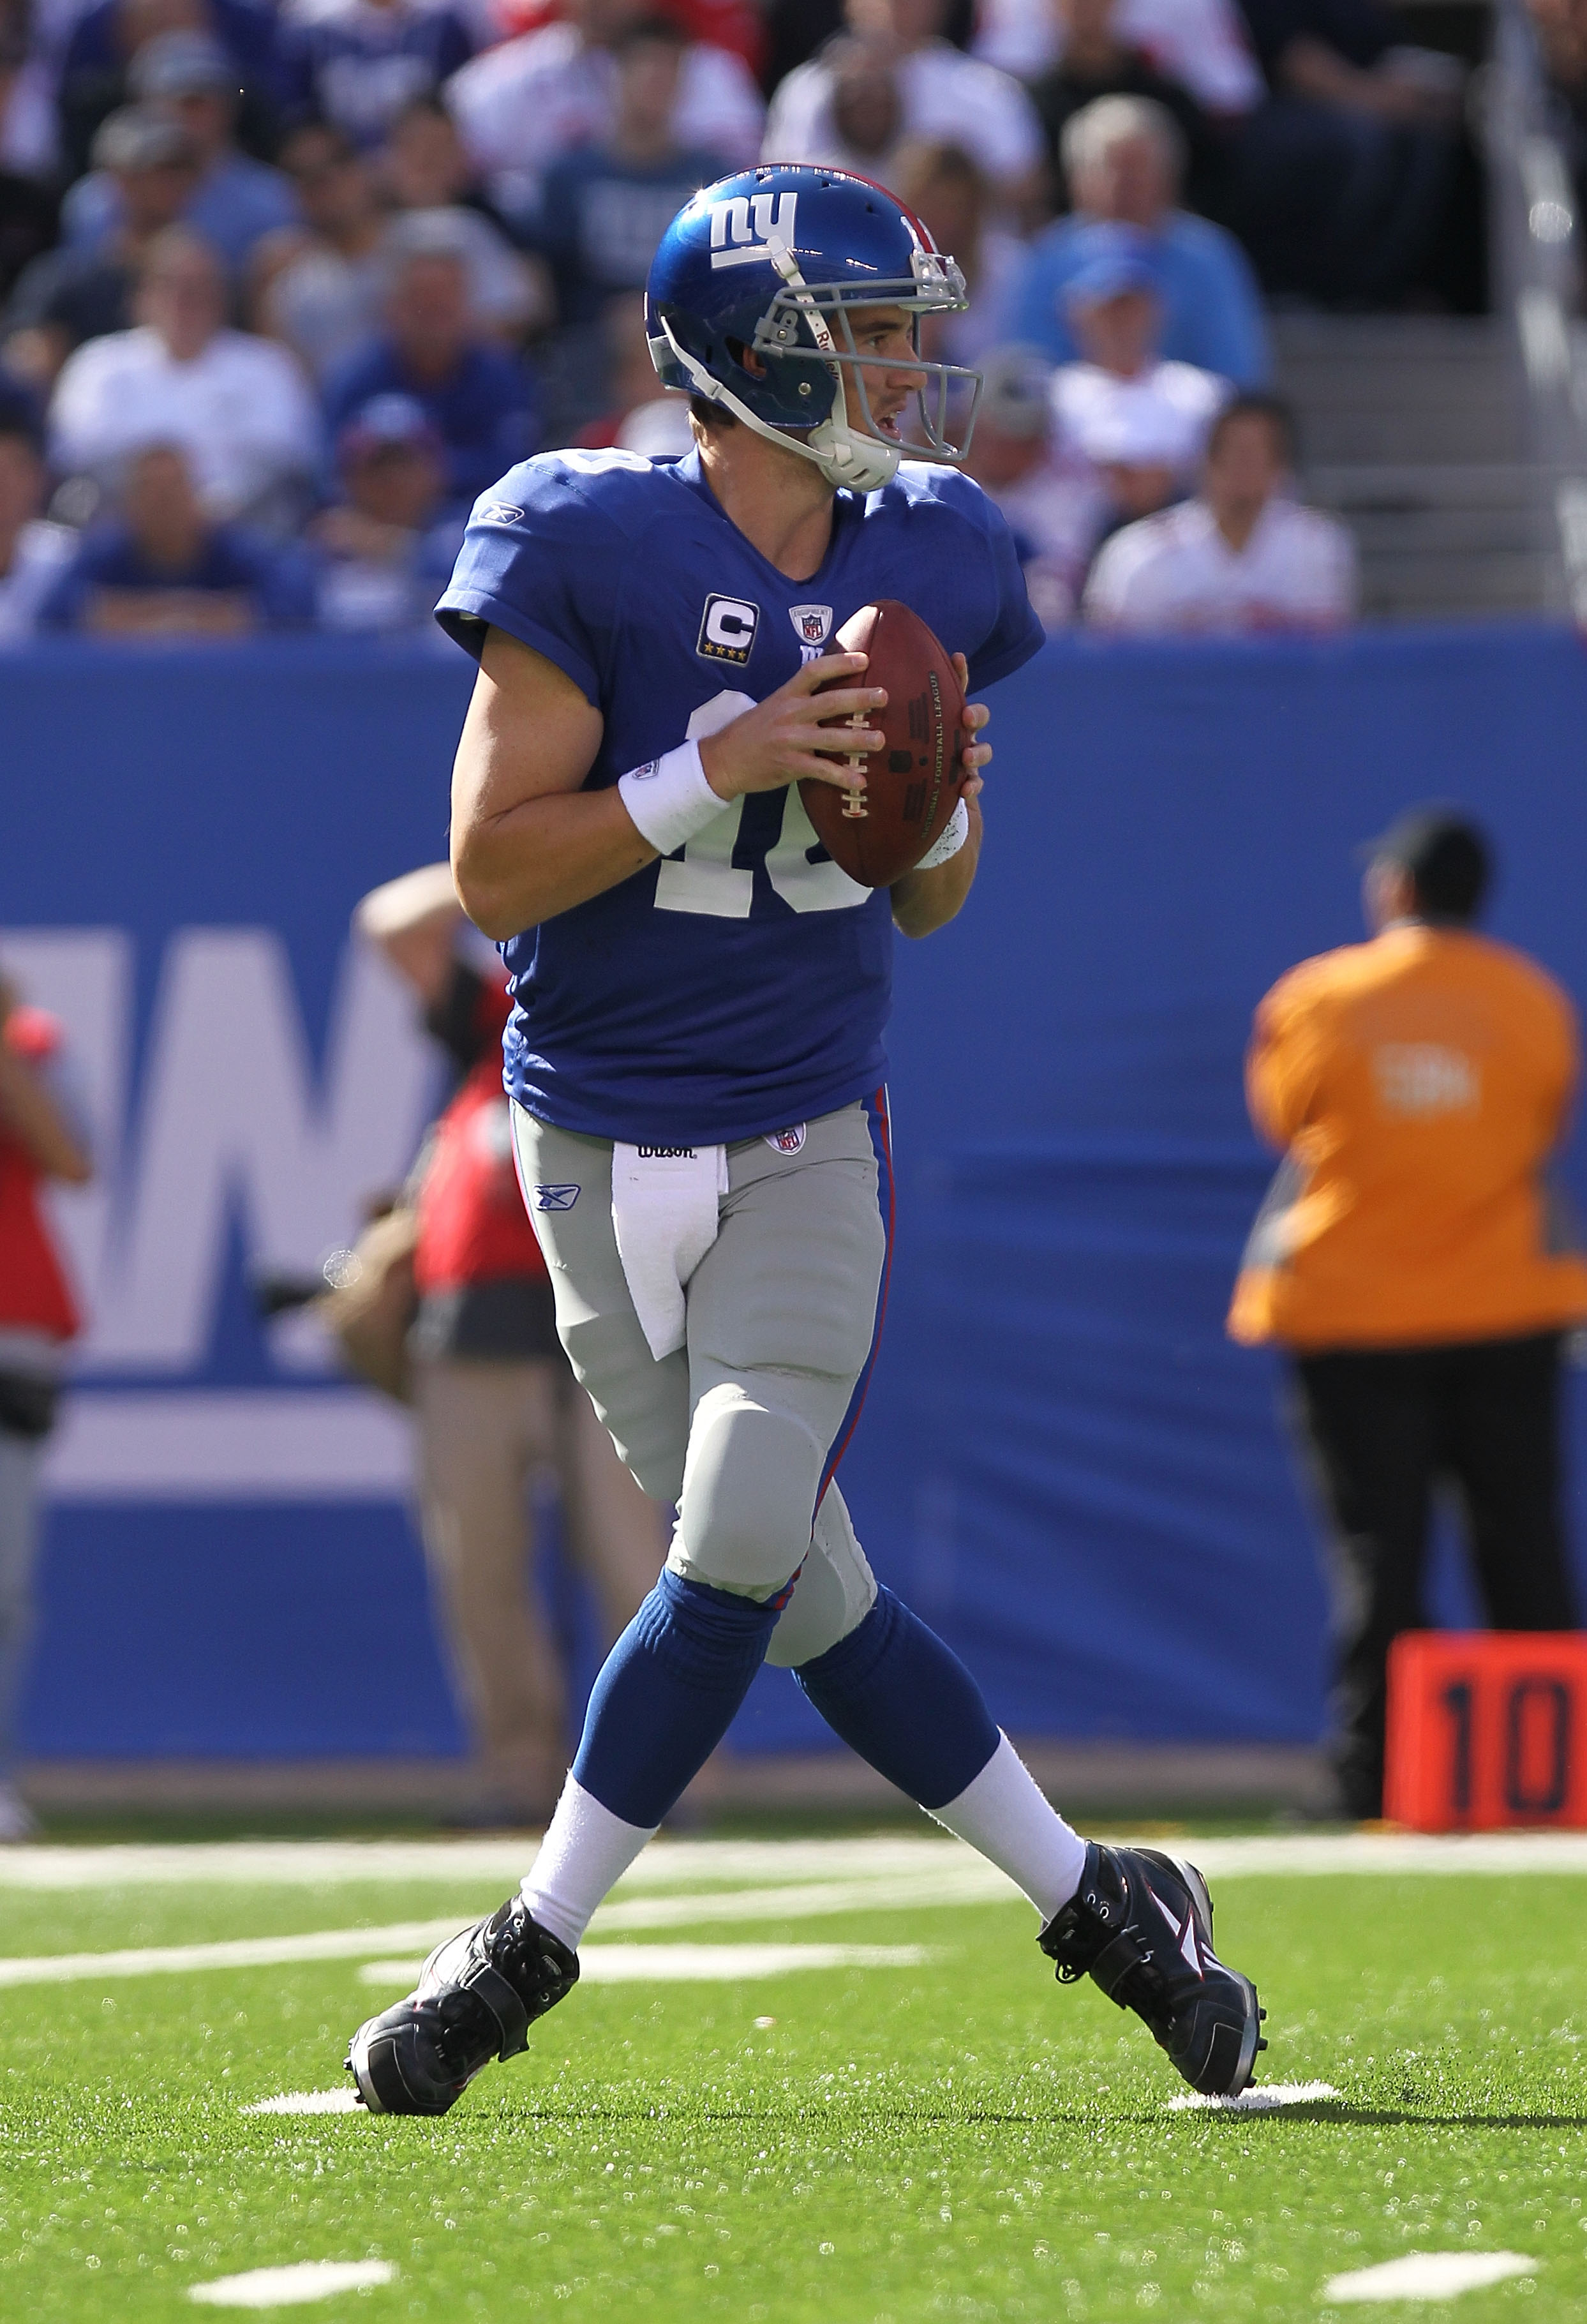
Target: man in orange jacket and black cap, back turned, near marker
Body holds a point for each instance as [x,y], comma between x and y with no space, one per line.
[1414,1258]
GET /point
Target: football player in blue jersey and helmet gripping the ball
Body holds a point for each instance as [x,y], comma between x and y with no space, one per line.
[696,1066]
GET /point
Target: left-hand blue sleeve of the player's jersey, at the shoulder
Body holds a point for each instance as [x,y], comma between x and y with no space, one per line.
[543,564]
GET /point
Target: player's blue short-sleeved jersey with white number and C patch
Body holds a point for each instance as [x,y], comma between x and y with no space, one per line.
[742,984]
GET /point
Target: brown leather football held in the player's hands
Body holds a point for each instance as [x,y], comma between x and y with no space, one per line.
[912,784]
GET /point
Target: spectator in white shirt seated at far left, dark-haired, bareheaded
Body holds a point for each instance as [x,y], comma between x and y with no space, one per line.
[236,406]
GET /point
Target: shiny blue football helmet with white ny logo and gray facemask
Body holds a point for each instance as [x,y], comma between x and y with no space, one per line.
[773,264]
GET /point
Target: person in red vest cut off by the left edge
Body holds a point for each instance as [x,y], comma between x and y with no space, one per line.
[38,1317]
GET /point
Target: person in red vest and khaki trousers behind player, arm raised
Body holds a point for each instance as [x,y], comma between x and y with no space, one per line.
[494,1393]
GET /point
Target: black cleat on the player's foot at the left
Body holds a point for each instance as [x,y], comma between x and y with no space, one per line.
[475,2000]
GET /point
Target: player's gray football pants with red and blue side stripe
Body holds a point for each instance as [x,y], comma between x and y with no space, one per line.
[740,1426]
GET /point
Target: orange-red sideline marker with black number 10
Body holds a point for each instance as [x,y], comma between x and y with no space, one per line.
[1488,1730]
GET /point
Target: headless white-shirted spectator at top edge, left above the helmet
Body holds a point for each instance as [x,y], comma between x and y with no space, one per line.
[540,96]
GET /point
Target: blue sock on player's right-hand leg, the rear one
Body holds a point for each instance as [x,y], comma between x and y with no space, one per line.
[905,1702]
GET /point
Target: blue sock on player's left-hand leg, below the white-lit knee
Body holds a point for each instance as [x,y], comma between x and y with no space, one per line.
[668,1693]
